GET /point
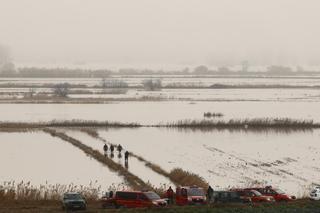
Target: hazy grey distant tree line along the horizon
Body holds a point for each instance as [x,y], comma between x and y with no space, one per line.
[7,69]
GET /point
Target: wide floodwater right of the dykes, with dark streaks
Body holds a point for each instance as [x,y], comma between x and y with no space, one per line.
[226,159]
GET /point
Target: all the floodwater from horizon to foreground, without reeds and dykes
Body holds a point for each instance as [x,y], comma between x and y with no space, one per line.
[225,158]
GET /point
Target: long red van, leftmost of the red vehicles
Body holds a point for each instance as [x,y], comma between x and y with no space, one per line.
[134,199]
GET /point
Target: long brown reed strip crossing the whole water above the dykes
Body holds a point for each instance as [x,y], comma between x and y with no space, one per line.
[254,123]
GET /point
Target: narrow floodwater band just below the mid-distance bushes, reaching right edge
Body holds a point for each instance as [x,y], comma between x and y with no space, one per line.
[213,95]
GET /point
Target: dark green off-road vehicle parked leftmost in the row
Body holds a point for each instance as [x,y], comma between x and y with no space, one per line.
[73,201]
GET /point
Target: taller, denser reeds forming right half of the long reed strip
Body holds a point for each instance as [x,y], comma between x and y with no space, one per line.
[255,123]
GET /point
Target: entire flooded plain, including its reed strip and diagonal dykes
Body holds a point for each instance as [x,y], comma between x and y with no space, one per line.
[172,140]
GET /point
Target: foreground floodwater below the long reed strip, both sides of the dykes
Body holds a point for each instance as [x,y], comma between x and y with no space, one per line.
[224,158]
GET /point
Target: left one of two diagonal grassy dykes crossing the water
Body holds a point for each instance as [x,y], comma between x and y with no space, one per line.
[133,181]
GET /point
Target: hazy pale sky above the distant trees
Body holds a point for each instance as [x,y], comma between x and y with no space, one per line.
[142,32]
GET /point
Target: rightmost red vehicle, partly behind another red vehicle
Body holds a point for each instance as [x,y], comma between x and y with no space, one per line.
[277,194]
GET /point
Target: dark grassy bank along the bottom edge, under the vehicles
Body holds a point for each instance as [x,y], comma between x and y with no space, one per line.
[299,206]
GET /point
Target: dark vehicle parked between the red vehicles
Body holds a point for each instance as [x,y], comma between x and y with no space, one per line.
[229,197]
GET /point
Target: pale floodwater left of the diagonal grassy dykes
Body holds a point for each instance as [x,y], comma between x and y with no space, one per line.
[40,158]
